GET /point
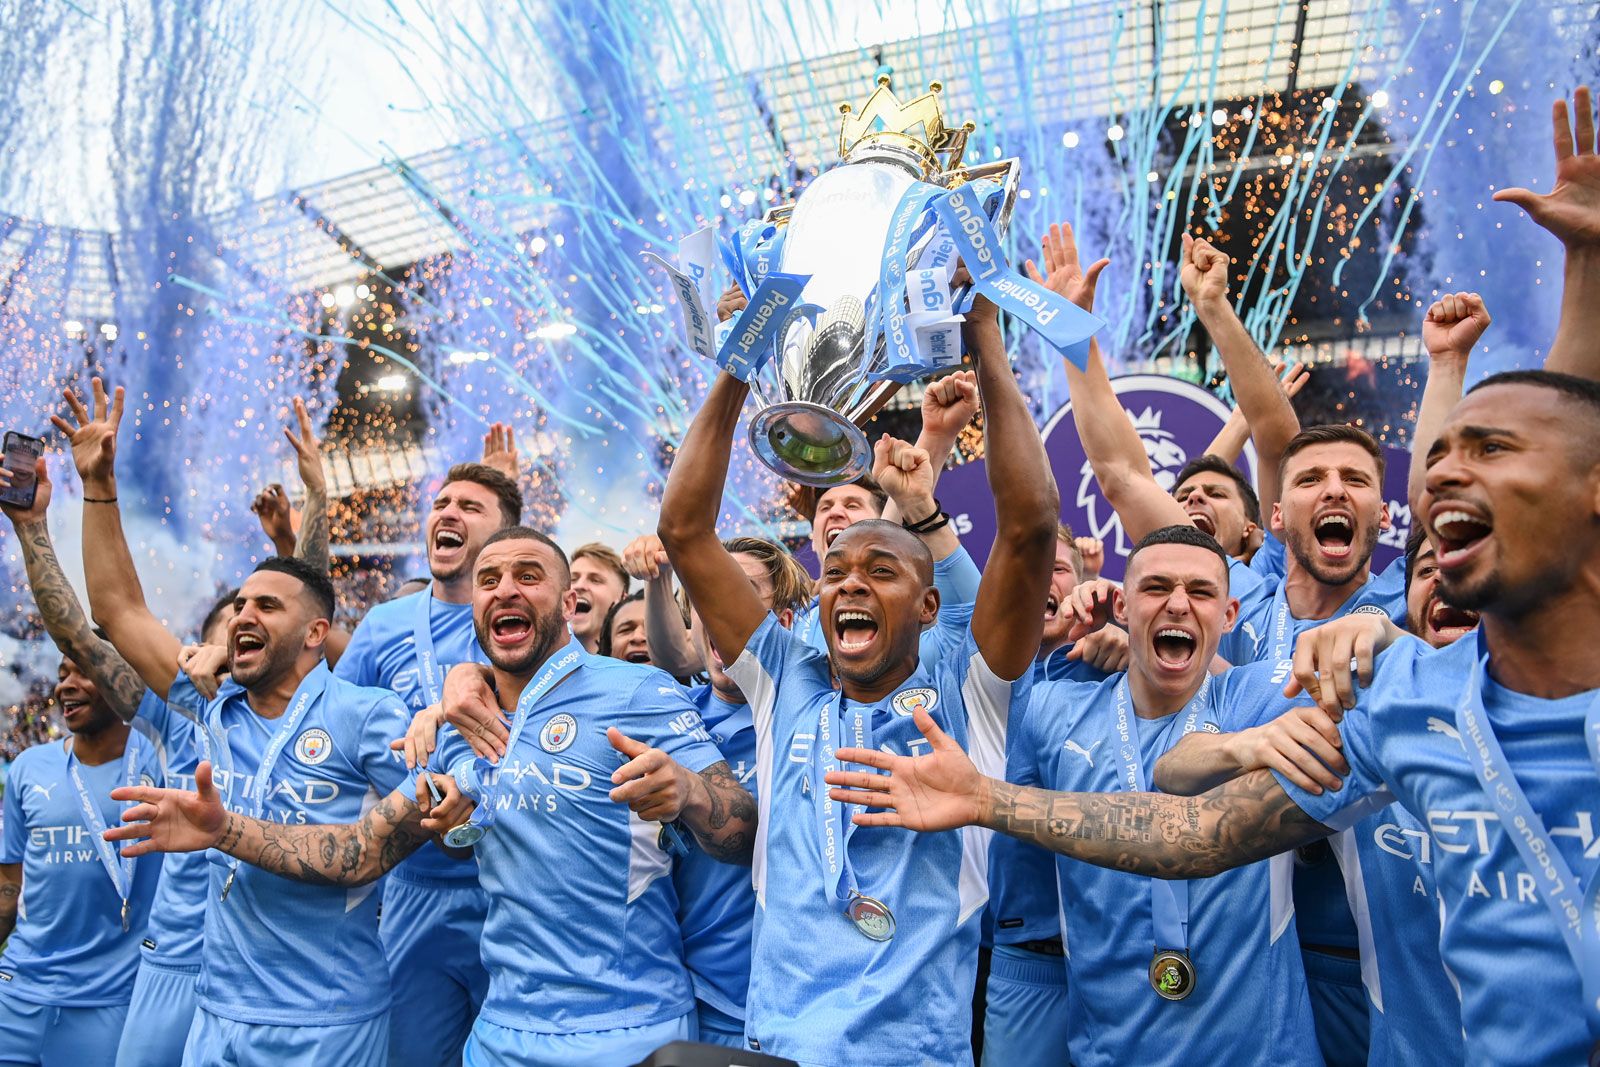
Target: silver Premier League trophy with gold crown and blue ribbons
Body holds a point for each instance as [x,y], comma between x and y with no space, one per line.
[850,286]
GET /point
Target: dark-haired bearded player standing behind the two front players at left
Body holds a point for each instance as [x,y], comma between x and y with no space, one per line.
[433,914]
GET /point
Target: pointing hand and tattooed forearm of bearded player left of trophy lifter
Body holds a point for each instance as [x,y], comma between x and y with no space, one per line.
[713,804]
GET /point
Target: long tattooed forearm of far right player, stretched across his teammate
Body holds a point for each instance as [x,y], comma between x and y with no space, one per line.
[1154,834]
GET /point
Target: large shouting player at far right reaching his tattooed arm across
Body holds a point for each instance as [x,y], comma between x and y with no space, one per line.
[1487,741]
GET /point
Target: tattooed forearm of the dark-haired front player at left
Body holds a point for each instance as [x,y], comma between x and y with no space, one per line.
[348,855]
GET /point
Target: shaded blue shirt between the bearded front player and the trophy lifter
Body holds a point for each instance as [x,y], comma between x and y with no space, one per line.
[718,900]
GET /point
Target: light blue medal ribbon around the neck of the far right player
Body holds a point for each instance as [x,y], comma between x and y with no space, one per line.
[1580,924]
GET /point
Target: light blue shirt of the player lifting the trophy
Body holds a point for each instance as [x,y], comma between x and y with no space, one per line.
[820,991]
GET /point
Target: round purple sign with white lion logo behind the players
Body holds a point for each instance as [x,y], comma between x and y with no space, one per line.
[1175,420]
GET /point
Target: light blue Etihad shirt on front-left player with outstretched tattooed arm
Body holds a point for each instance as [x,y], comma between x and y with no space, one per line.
[286,953]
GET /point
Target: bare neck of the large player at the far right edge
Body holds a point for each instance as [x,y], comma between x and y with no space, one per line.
[1548,653]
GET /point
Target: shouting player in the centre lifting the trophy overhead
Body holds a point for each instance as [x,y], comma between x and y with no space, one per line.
[866,943]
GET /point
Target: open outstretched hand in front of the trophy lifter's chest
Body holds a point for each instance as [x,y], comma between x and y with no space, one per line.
[937,791]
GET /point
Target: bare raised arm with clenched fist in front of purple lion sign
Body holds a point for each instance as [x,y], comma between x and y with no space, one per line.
[1266,407]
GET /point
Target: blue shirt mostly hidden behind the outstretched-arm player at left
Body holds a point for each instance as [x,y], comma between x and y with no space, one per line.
[177,929]
